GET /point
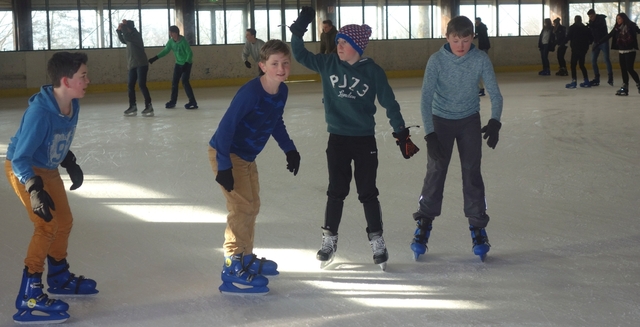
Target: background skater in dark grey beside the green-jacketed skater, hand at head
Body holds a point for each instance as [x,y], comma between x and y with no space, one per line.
[137,65]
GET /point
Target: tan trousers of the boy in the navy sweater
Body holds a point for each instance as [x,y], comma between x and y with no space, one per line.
[243,203]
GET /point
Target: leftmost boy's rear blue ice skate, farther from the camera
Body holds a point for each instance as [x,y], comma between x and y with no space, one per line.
[61,281]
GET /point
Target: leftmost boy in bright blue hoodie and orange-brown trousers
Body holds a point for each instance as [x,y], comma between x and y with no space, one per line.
[41,144]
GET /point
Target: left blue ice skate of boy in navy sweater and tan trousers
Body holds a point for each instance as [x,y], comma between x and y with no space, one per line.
[238,281]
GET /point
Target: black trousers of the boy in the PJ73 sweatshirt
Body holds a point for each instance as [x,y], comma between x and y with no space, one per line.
[363,152]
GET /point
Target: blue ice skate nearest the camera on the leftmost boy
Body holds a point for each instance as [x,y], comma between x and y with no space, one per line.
[35,307]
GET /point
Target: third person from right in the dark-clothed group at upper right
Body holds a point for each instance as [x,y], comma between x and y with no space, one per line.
[579,38]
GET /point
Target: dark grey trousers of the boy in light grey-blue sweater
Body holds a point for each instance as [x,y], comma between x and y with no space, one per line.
[466,134]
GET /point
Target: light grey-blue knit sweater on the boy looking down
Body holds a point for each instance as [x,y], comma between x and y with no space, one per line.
[450,86]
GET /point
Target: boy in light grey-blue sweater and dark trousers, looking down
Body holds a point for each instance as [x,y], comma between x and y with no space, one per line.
[450,112]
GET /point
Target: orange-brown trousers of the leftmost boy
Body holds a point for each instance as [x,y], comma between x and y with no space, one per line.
[50,238]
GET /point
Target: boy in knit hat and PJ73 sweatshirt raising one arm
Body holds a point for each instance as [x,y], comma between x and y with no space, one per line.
[350,84]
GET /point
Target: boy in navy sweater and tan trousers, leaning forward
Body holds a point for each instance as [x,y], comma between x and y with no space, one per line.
[255,114]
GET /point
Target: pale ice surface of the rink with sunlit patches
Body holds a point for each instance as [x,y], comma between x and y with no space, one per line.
[562,187]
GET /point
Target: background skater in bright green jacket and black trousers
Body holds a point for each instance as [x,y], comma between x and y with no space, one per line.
[182,70]
